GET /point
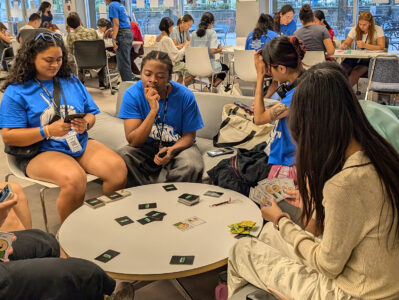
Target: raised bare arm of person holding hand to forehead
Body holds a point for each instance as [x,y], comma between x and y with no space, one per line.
[262,115]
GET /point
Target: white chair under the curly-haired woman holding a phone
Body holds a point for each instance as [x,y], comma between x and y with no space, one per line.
[17,172]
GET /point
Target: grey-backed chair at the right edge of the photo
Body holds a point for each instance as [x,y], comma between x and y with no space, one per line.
[383,75]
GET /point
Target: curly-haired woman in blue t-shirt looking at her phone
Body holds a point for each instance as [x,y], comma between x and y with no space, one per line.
[29,114]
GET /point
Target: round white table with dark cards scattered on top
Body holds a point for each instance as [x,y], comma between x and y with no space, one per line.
[146,250]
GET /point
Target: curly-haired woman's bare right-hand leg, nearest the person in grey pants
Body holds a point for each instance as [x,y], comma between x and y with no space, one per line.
[101,161]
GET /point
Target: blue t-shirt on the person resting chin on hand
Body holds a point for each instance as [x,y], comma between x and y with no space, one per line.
[182,115]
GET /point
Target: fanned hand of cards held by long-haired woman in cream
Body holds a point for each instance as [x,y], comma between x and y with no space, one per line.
[271,188]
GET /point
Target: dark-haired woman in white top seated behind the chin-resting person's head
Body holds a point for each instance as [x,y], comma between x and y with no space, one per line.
[164,43]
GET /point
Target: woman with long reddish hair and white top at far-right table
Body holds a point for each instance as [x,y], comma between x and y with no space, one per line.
[368,36]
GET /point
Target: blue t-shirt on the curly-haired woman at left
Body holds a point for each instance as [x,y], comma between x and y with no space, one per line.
[27,105]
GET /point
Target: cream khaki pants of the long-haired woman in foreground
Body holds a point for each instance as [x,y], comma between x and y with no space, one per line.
[270,262]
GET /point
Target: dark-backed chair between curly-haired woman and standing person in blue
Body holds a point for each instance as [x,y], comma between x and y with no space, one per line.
[92,55]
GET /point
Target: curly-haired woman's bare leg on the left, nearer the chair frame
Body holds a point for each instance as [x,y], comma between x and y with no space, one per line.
[64,171]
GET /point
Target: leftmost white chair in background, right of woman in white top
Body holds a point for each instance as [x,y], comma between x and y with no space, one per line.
[198,63]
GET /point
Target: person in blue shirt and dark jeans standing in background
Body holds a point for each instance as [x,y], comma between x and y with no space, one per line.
[122,37]
